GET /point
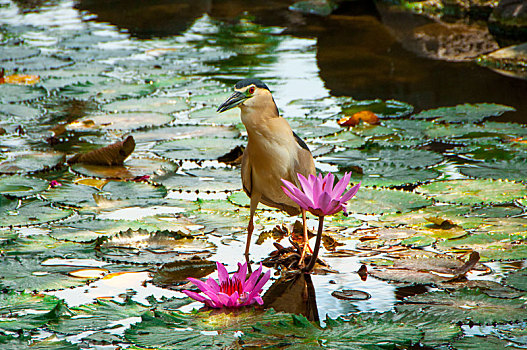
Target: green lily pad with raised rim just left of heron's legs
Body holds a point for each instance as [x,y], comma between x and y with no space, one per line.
[143,247]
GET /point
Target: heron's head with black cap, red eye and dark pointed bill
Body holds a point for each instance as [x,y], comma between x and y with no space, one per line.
[248,93]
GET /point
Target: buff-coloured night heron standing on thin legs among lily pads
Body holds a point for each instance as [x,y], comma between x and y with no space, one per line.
[273,152]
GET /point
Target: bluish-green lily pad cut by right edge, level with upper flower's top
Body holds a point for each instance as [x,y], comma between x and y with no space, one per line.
[513,169]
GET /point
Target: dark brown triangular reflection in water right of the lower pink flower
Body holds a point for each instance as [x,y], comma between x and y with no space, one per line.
[293,294]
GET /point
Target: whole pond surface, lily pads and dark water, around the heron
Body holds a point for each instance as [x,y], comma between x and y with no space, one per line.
[438,184]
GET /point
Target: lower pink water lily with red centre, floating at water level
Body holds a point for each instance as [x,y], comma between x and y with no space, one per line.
[230,292]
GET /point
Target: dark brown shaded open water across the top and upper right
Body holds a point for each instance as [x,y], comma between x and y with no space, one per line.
[358,50]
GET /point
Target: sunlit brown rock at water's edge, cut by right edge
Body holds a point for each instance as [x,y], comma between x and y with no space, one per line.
[510,61]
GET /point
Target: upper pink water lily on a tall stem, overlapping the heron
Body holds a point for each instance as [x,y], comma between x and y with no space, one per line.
[319,197]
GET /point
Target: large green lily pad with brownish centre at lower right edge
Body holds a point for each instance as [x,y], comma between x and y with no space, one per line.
[467,305]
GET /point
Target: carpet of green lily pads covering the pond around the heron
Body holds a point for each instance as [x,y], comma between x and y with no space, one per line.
[436,186]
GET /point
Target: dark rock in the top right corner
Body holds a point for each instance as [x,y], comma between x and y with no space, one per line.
[509,20]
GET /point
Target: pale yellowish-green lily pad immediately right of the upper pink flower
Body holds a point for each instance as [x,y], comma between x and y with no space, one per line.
[382,201]
